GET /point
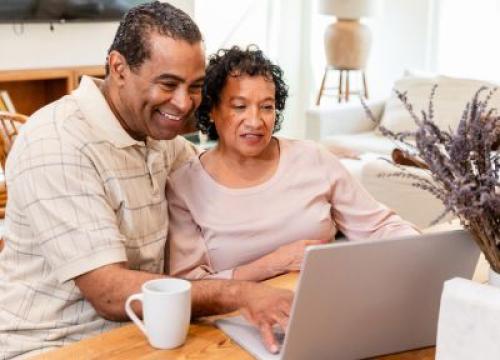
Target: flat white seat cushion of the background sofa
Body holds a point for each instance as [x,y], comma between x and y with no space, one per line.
[371,142]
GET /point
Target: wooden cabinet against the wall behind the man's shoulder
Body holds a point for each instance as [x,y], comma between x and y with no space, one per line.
[33,88]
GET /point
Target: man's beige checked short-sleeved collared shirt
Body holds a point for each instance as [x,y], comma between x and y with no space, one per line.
[82,194]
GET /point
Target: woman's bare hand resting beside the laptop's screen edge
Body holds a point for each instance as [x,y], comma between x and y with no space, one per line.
[291,256]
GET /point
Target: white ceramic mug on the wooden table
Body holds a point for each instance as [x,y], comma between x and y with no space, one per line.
[166,309]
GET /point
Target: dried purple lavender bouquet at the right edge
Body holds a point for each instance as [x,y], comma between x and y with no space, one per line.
[464,164]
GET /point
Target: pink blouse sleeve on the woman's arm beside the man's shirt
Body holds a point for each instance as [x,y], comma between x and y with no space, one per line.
[187,254]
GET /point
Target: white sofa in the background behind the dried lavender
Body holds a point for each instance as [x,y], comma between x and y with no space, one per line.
[348,126]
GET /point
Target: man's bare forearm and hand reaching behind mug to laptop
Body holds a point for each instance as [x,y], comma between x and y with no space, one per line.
[108,287]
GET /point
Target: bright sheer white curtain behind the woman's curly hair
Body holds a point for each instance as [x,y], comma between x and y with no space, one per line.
[280,28]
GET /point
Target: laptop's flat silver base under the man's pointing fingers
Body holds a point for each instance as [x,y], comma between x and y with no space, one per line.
[246,335]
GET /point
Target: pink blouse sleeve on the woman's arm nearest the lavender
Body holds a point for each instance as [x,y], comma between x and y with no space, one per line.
[356,213]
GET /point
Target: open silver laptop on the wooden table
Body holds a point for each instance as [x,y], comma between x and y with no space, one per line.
[361,299]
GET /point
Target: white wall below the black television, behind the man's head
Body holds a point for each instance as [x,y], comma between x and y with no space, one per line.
[36,46]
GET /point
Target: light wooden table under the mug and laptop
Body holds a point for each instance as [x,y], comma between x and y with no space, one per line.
[204,341]
